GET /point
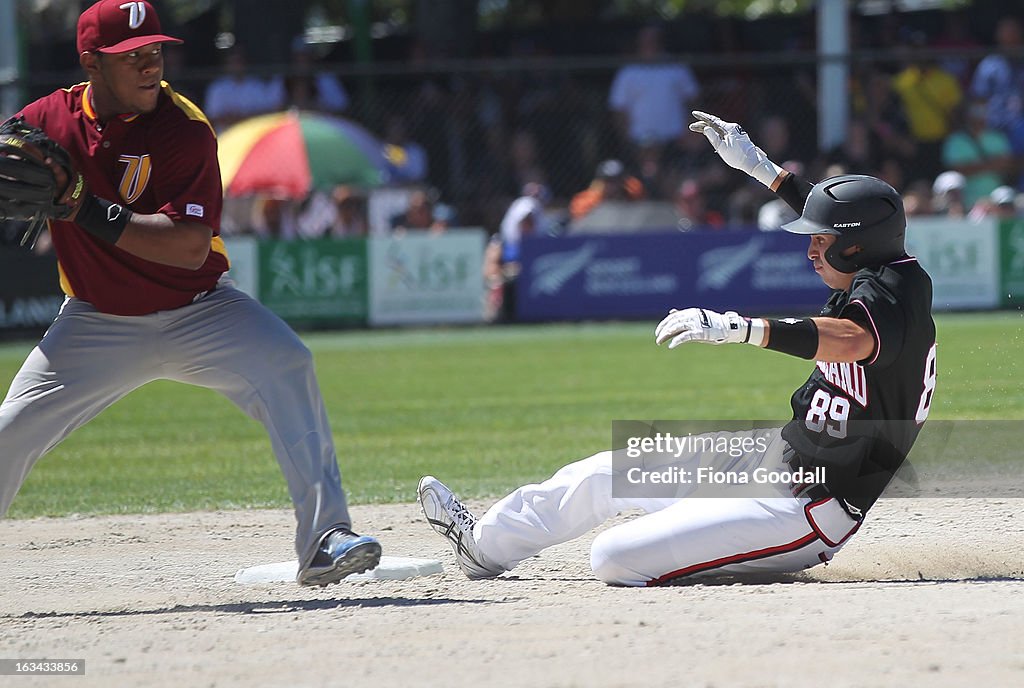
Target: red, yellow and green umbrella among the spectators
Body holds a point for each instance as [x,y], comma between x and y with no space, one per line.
[290,154]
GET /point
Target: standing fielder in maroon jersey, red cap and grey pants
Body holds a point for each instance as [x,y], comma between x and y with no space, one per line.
[143,266]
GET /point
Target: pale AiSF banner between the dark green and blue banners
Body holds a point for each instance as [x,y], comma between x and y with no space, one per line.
[428,279]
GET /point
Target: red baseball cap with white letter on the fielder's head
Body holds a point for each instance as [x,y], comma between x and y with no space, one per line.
[118,26]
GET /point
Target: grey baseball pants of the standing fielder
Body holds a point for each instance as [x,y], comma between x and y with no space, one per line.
[225,341]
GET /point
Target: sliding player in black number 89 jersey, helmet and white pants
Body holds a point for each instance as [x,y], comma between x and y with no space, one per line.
[855,419]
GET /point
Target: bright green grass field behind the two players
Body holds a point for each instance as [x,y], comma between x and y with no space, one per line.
[485,409]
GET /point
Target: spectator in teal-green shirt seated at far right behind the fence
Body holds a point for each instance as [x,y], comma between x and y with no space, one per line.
[978,152]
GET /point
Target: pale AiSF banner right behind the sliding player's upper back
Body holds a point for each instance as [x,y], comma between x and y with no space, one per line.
[961,256]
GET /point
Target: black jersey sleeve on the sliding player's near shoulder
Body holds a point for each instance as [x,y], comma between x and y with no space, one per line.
[874,306]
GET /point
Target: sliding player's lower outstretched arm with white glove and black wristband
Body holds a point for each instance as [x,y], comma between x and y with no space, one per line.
[826,339]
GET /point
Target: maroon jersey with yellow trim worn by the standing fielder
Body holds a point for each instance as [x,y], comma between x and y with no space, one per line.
[160,162]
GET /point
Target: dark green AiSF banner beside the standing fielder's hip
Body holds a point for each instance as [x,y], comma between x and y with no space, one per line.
[317,282]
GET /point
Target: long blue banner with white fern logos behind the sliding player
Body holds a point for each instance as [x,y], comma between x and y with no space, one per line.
[642,276]
